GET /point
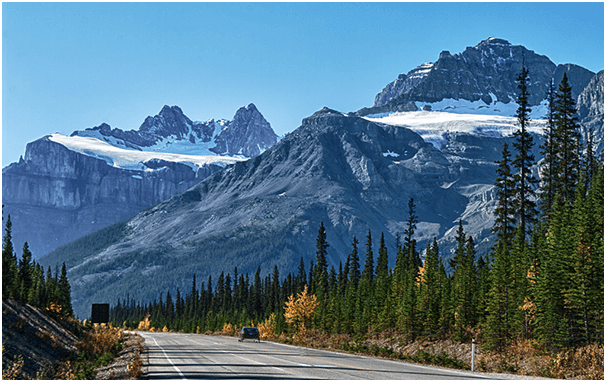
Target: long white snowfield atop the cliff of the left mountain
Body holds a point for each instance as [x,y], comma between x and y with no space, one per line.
[134,159]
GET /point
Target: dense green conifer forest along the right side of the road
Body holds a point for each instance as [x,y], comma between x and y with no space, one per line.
[542,281]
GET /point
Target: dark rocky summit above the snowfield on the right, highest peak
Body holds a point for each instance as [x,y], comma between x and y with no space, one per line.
[486,72]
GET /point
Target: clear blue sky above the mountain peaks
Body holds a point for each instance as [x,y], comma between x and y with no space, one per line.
[69,66]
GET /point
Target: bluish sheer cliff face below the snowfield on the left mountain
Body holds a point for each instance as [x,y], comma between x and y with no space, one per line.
[55,195]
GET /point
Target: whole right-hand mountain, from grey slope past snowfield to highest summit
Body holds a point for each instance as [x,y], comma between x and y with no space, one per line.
[353,172]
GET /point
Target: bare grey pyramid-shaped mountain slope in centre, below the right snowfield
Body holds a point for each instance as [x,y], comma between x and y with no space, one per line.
[351,173]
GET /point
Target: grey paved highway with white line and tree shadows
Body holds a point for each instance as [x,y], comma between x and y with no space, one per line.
[195,356]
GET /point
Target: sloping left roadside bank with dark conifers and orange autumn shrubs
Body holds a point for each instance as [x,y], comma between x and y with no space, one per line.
[41,338]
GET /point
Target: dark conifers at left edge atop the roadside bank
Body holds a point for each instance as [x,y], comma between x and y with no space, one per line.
[24,280]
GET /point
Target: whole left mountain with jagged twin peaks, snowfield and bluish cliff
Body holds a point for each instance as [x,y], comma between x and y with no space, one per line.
[66,187]
